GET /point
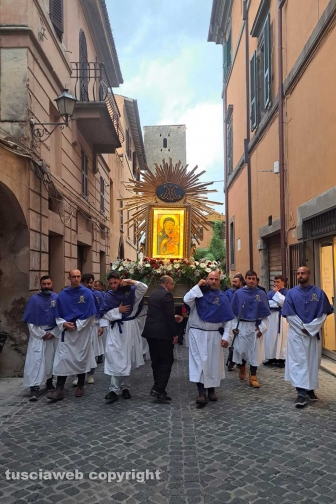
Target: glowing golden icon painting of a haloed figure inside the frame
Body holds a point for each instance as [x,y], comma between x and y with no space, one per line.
[168,232]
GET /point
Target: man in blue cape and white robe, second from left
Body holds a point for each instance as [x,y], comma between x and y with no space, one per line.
[76,312]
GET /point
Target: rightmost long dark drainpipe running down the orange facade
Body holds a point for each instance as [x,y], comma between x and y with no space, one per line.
[281,145]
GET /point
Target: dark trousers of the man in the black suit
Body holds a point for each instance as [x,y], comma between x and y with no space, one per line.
[162,357]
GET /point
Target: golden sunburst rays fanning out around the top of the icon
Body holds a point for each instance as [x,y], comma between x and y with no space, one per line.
[144,194]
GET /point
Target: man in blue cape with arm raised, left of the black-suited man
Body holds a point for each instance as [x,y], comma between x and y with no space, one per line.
[123,349]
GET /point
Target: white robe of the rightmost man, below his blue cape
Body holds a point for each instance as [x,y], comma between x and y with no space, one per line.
[303,352]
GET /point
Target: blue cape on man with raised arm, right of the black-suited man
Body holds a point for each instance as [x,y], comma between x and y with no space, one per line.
[214,307]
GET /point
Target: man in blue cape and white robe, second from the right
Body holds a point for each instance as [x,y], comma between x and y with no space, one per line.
[275,338]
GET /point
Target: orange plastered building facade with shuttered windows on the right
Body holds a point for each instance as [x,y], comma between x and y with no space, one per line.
[279,122]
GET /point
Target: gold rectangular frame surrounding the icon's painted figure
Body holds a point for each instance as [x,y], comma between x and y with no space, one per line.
[156,212]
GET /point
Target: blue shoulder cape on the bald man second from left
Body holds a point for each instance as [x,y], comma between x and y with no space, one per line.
[76,303]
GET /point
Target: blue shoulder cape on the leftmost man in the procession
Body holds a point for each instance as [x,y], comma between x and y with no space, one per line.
[40,310]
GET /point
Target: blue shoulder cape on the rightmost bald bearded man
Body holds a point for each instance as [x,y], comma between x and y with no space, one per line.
[307,303]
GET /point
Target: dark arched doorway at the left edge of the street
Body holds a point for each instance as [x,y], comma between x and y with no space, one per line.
[14,281]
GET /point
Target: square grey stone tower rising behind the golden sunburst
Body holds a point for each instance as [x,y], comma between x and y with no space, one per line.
[163,142]
